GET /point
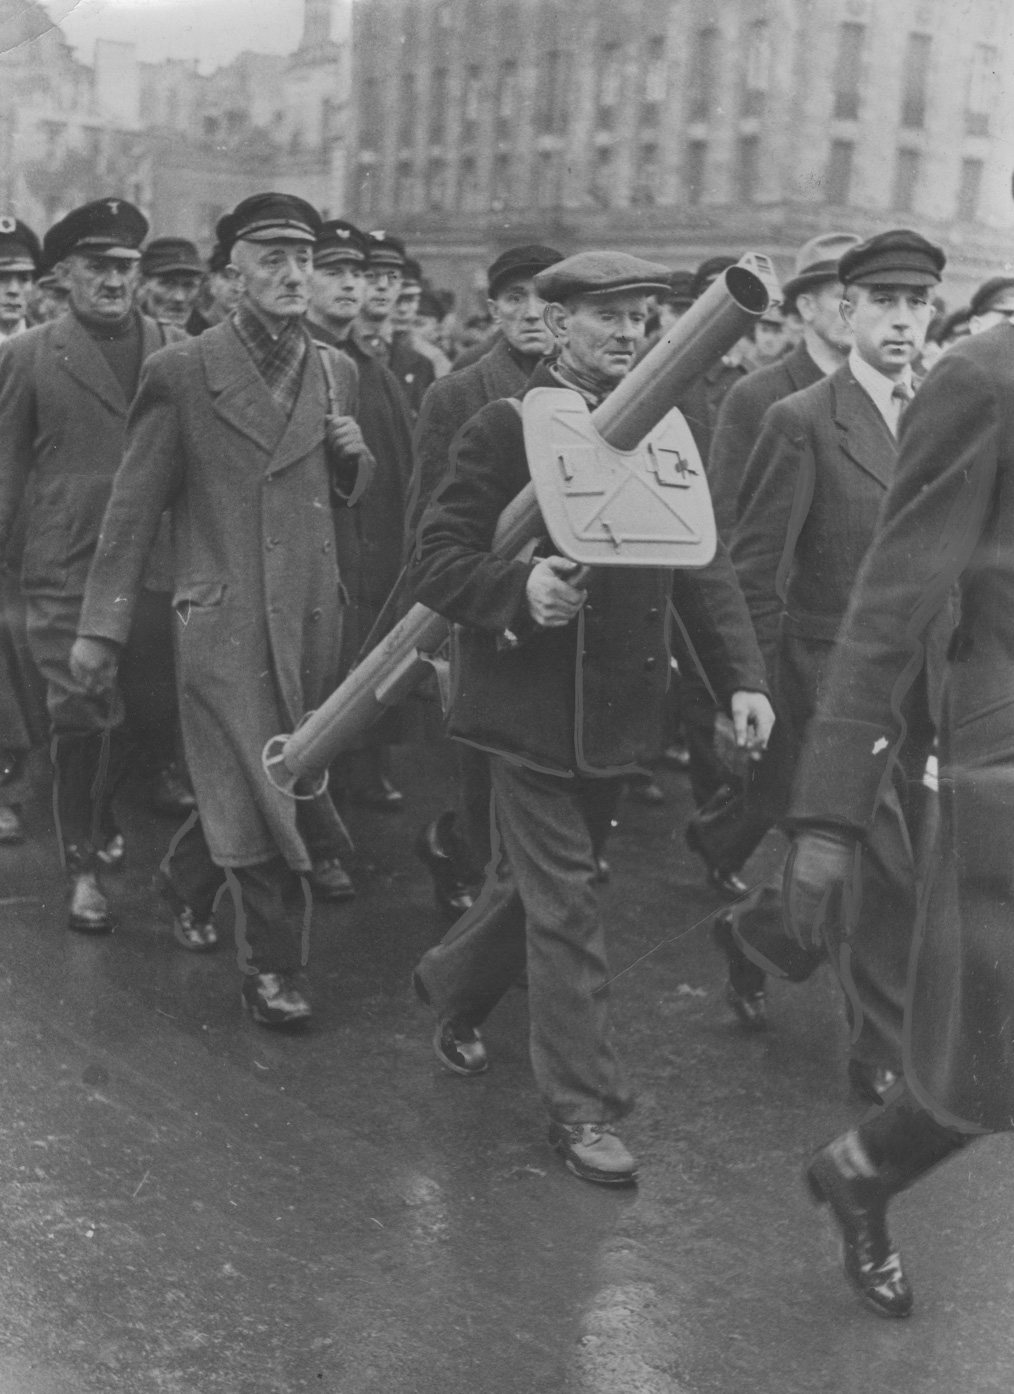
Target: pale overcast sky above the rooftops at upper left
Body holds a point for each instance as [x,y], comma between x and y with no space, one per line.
[213,31]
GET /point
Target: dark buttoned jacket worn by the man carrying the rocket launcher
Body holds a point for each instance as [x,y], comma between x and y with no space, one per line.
[582,699]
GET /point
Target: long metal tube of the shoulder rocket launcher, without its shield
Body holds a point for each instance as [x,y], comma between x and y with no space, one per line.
[400,663]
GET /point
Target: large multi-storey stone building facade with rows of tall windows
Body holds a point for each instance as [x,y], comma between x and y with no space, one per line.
[679,129]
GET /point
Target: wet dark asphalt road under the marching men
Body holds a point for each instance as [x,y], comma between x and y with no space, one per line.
[197,1207]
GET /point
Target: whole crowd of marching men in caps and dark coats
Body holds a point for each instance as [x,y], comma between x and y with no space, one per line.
[222,483]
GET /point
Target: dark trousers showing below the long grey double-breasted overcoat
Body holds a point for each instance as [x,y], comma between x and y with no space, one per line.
[271,903]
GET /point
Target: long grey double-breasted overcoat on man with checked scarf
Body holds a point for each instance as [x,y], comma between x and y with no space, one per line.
[256,576]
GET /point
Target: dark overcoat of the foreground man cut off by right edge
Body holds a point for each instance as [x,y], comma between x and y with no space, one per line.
[949,518]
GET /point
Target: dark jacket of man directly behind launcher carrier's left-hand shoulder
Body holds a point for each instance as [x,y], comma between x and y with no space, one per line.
[447,409]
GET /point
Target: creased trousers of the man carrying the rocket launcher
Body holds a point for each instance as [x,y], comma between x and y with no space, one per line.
[540,907]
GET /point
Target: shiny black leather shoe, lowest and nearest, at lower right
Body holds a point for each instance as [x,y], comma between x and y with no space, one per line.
[858,1205]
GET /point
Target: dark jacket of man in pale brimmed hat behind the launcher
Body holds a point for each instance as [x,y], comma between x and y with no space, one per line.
[739,427]
